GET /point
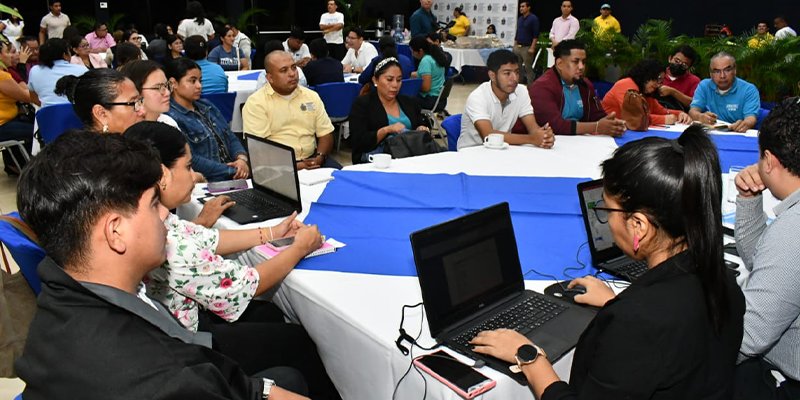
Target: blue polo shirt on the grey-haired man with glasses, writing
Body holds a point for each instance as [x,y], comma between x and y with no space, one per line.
[742,100]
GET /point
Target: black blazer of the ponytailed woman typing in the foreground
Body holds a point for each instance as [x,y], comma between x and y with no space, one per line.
[655,341]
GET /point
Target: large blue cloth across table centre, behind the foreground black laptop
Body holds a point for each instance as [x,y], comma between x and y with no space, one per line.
[374,214]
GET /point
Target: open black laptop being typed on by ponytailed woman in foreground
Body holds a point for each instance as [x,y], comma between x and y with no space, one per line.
[471,280]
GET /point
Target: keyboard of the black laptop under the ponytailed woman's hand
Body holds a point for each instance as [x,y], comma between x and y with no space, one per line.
[523,317]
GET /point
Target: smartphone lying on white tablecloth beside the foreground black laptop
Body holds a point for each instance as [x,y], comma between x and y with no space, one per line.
[461,378]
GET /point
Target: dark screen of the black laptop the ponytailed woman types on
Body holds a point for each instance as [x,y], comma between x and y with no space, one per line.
[466,264]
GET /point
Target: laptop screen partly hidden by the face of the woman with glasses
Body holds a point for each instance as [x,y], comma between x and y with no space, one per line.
[601,241]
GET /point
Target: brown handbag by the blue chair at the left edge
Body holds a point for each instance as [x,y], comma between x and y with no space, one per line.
[17,307]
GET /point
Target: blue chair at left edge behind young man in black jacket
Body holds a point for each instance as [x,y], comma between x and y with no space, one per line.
[25,251]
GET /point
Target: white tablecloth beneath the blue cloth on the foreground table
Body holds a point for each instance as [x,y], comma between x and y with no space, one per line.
[354,318]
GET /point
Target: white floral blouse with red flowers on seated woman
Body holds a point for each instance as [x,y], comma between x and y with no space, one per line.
[194,276]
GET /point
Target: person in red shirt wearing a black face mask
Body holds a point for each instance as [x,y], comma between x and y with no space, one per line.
[679,81]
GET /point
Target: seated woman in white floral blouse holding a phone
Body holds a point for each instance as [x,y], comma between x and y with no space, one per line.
[205,291]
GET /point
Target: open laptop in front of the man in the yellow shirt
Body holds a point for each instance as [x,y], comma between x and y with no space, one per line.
[276,188]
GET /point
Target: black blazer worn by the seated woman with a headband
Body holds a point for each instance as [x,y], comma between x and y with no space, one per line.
[368,115]
